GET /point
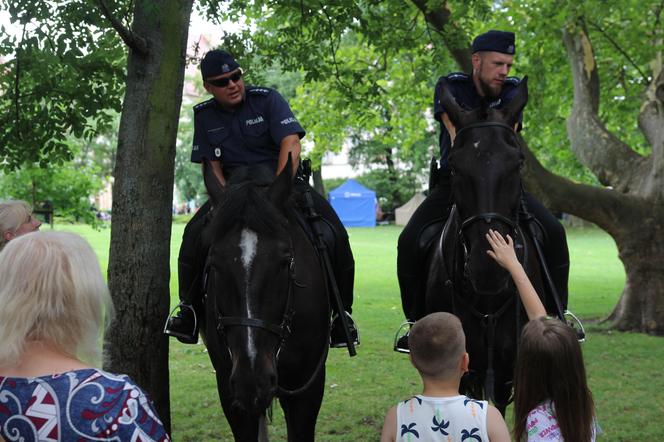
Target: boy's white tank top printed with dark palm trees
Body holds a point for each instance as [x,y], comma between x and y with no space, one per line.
[455,418]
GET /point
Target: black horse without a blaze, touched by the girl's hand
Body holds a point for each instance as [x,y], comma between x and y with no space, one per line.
[486,190]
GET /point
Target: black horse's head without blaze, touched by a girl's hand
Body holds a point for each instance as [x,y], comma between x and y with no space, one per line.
[486,183]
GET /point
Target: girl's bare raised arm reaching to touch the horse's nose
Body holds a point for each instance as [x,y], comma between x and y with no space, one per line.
[503,252]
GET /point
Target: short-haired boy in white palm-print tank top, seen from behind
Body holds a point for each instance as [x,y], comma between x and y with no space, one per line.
[438,352]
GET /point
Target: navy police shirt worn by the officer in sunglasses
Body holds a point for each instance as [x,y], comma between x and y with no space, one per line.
[249,135]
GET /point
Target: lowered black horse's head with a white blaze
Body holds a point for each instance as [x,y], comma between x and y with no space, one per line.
[250,279]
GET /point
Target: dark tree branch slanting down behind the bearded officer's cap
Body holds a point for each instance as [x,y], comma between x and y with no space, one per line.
[454,39]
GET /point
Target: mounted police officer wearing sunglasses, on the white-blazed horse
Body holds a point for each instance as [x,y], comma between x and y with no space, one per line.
[242,126]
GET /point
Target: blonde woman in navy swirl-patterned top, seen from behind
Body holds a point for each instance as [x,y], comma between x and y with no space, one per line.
[54,307]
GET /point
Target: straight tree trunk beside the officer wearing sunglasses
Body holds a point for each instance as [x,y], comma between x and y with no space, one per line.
[139,262]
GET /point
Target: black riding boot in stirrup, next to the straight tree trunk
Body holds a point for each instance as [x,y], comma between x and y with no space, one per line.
[184,325]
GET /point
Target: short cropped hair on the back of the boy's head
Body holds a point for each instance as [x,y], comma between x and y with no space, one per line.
[436,343]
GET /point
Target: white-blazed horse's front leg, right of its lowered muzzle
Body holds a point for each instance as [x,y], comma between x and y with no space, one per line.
[301,411]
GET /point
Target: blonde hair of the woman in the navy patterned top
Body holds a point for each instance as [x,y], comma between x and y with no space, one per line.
[52,290]
